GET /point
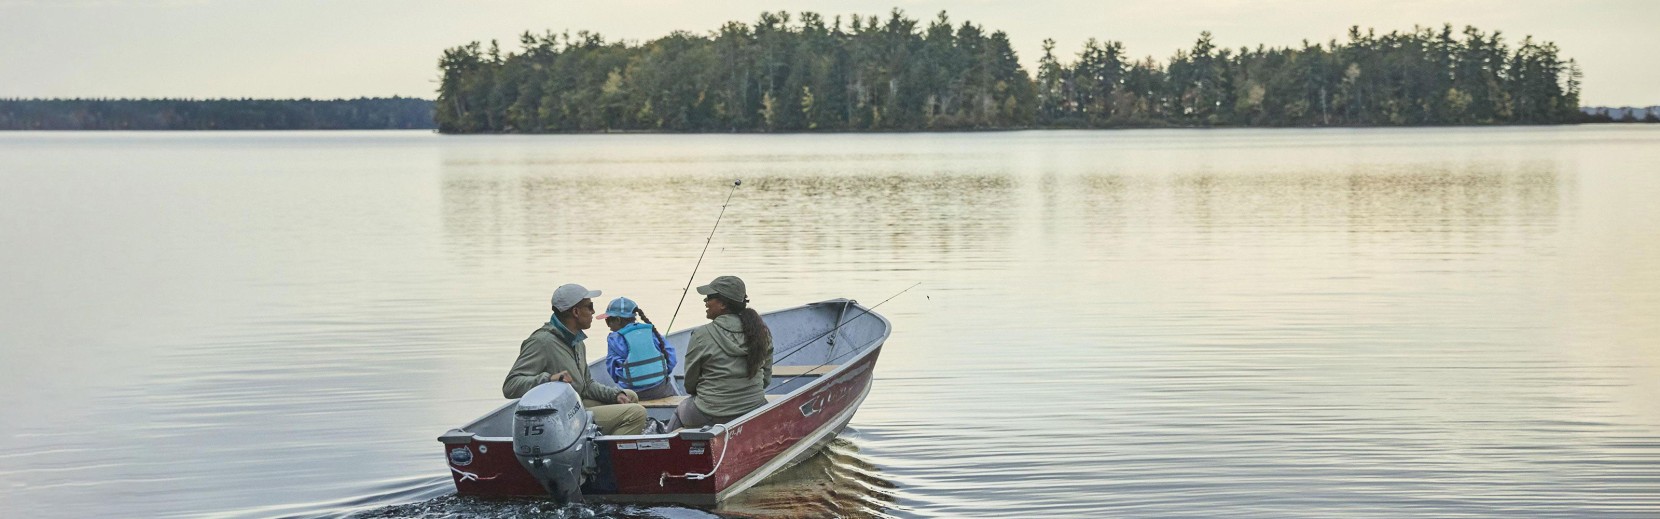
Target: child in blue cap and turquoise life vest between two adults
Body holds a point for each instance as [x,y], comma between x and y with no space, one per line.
[637,356]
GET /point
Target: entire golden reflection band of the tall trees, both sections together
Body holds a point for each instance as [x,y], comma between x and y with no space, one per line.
[899,220]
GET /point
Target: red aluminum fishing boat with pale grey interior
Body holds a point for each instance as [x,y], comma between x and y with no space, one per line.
[824,356]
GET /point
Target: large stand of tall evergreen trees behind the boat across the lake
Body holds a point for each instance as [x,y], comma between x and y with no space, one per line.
[808,74]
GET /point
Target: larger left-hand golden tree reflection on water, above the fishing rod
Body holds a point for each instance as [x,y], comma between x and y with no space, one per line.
[834,213]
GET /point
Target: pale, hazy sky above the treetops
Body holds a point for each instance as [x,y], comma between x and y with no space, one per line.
[348,49]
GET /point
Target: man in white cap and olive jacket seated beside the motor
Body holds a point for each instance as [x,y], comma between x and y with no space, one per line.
[557,352]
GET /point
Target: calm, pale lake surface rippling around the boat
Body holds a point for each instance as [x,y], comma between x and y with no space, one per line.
[1201,324]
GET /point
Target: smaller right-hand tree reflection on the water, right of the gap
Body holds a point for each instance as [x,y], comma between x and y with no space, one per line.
[1432,200]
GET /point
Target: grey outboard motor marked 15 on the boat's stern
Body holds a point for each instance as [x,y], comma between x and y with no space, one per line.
[554,440]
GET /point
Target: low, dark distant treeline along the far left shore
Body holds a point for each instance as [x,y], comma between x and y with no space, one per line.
[366,114]
